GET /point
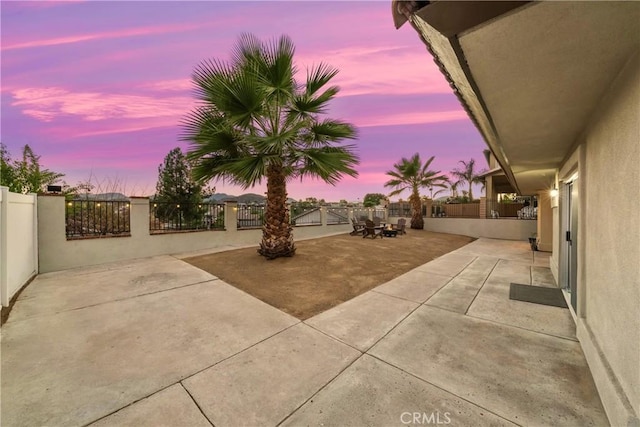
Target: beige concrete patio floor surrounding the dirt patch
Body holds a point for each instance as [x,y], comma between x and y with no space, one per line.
[159,342]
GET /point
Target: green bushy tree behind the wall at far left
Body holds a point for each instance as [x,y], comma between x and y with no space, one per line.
[26,175]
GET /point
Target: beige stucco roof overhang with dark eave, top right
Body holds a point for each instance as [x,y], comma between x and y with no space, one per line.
[529,74]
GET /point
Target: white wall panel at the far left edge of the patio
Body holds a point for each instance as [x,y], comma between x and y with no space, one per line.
[18,247]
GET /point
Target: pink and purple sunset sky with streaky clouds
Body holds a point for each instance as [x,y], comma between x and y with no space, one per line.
[98,89]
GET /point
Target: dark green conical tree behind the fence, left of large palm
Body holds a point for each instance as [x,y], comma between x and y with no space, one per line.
[177,194]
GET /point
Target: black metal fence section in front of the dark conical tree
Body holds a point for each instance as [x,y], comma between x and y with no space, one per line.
[170,217]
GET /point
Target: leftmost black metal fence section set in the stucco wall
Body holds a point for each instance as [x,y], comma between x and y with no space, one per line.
[97,218]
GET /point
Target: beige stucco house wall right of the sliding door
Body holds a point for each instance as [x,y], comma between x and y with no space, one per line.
[609,324]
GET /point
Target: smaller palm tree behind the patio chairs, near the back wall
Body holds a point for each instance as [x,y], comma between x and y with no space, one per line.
[411,174]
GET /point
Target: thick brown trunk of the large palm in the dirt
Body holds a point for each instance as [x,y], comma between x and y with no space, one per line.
[277,239]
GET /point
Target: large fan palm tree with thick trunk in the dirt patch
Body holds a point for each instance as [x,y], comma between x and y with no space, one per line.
[256,121]
